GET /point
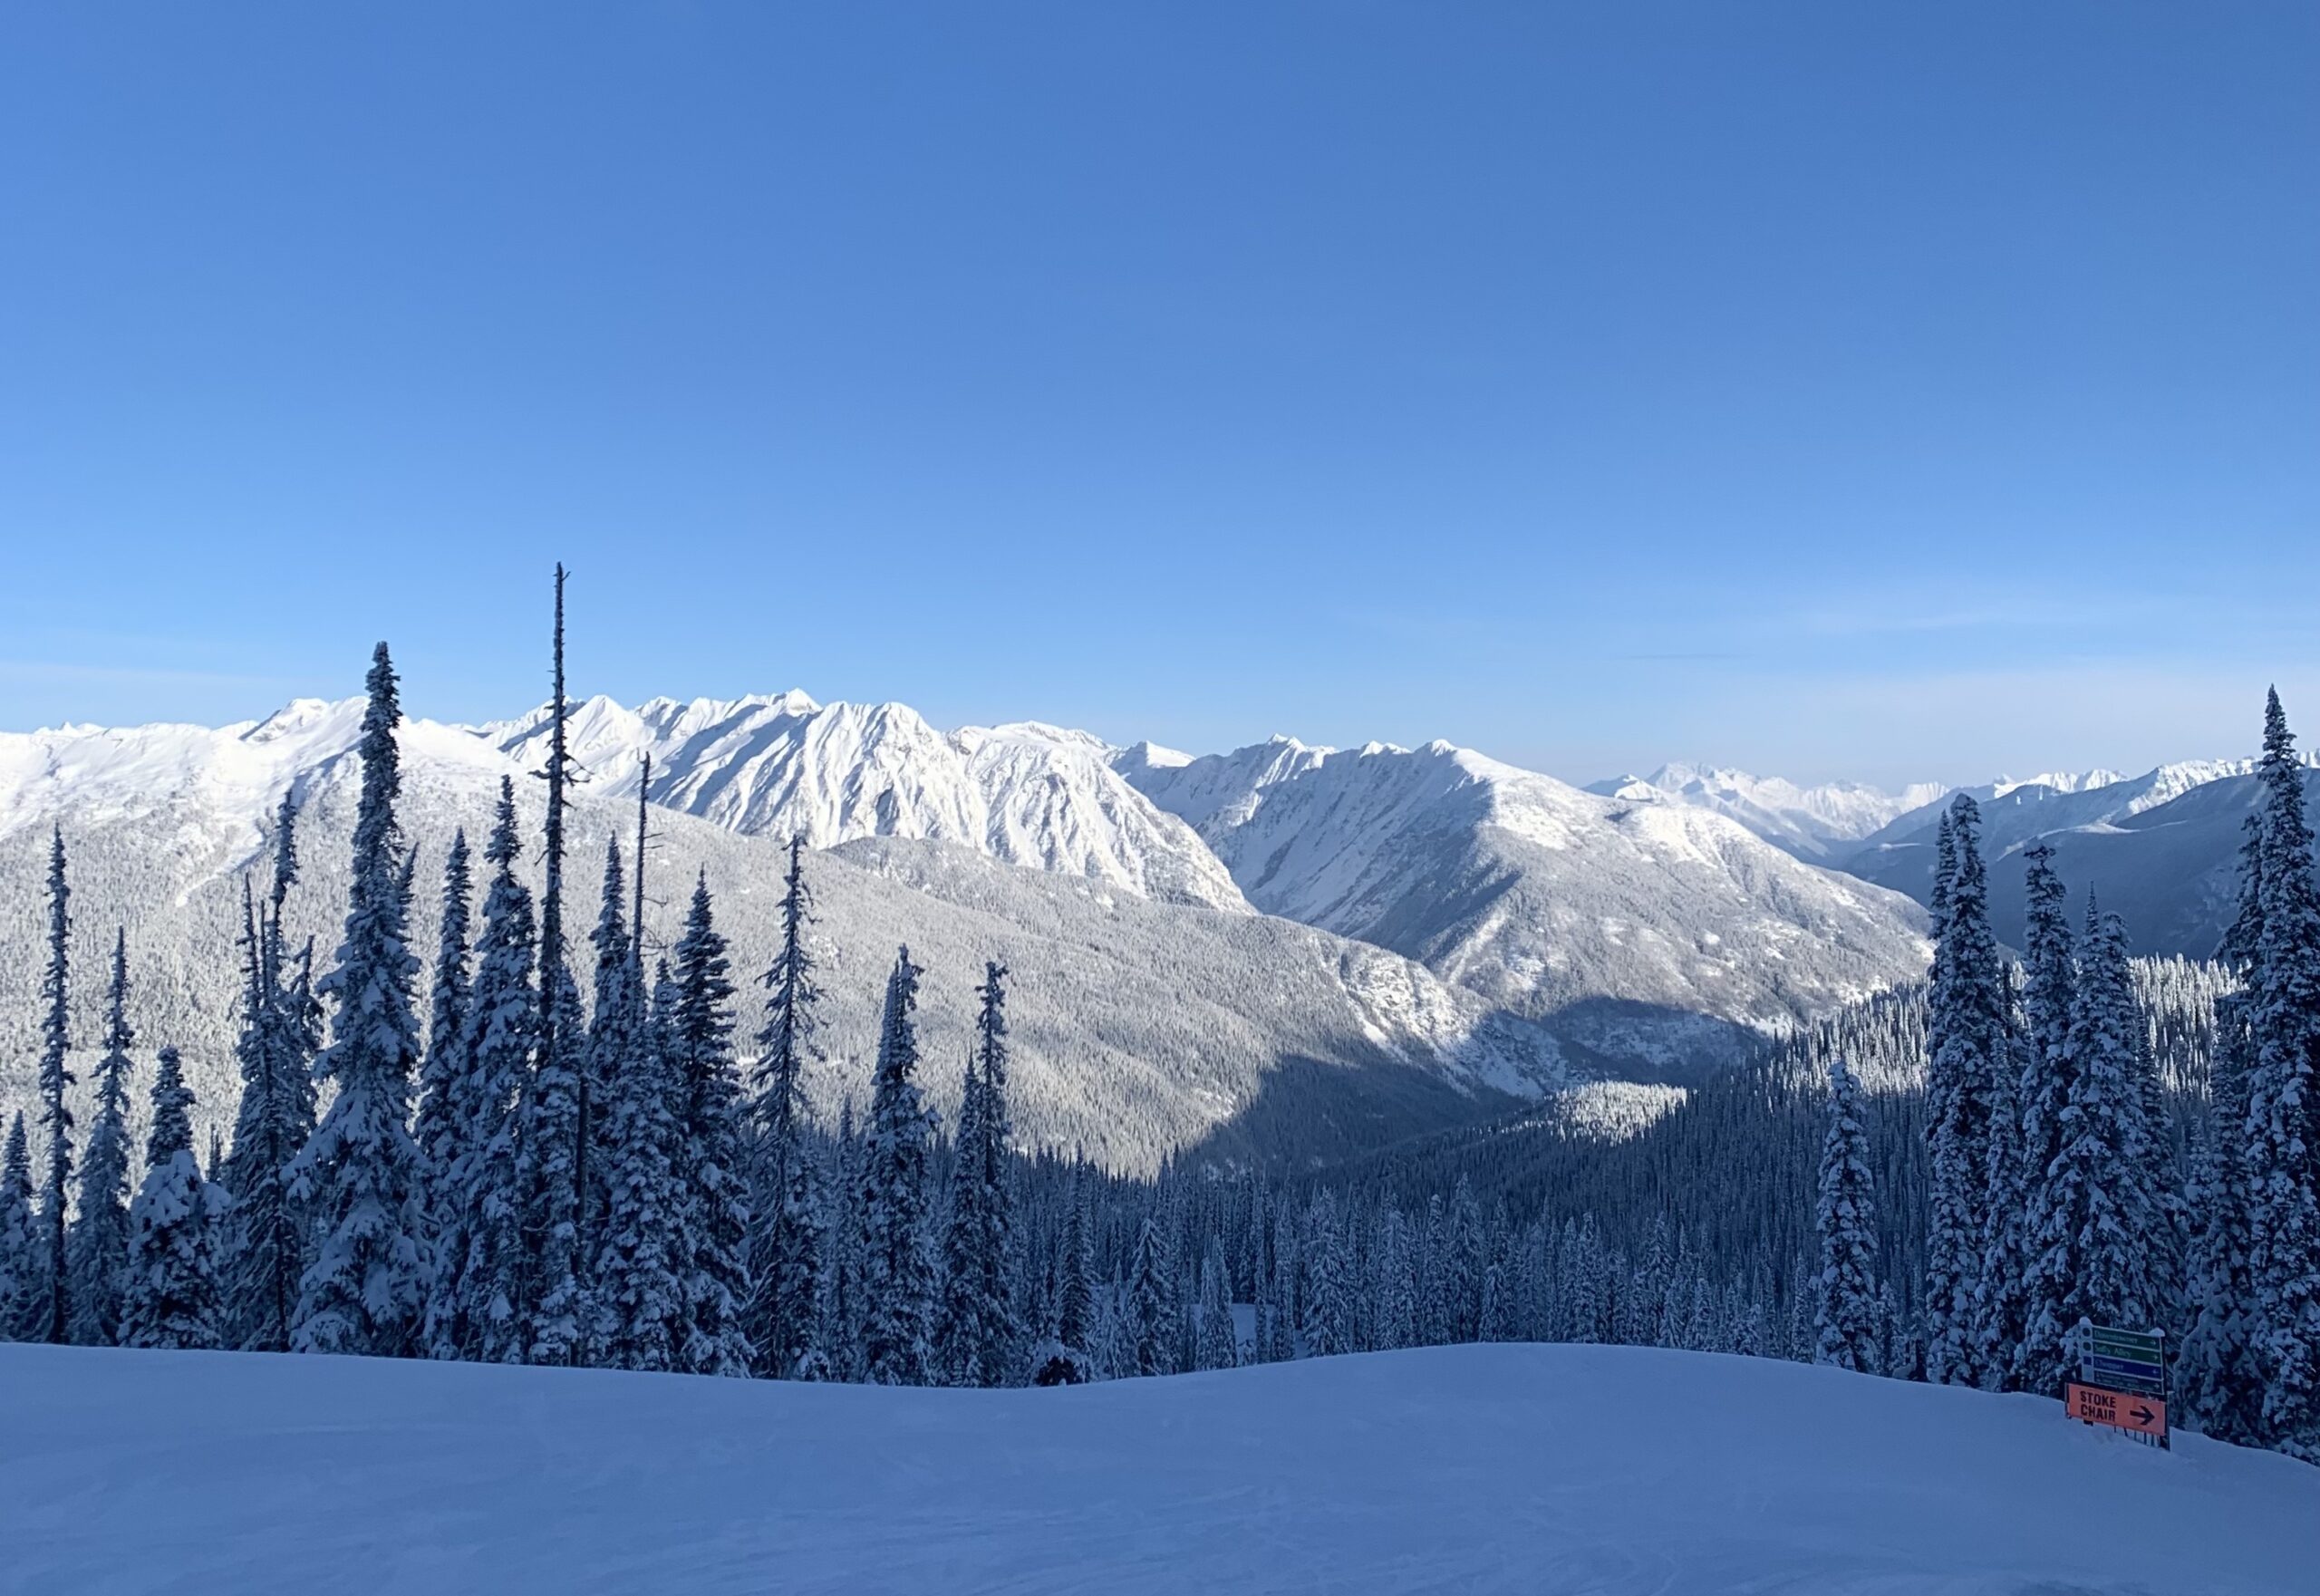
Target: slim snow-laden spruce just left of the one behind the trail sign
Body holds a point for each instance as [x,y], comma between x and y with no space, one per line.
[2050,999]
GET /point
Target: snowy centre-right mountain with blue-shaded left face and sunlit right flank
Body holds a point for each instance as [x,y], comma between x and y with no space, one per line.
[1641,931]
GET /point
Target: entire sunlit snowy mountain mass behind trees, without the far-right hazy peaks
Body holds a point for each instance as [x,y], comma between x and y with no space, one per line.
[1261,955]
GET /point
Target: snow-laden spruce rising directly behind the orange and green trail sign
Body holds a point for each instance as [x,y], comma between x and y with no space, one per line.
[2091,1254]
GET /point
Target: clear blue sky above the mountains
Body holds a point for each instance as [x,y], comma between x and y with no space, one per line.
[1836,391]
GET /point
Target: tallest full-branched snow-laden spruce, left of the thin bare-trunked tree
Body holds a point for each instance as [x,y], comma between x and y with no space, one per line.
[361,1173]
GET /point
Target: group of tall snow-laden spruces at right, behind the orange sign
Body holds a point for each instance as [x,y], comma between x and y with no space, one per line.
[2064,1182]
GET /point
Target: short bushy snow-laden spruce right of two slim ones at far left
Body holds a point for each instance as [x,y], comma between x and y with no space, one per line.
[171,1291]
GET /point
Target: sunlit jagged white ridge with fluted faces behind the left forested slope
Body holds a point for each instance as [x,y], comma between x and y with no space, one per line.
[783,764]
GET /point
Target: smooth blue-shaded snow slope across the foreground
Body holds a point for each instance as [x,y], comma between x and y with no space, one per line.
[1453,1470]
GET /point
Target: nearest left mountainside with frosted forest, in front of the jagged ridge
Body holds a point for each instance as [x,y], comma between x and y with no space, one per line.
[1143,1026]
